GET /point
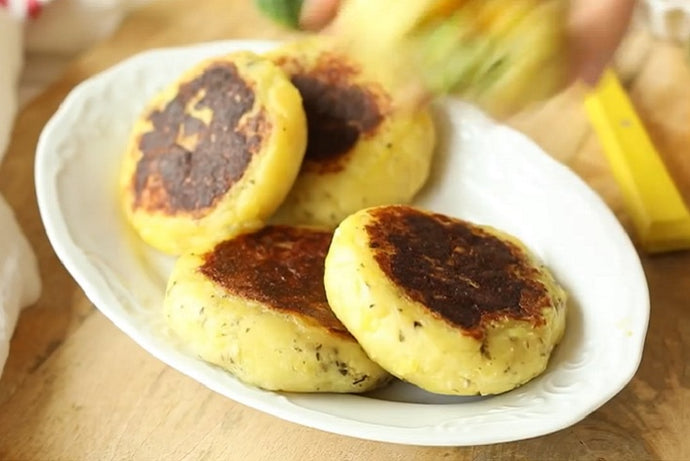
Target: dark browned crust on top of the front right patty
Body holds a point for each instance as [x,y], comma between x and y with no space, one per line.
[459,272]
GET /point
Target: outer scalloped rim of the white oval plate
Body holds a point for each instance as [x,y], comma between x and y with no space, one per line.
[98,291]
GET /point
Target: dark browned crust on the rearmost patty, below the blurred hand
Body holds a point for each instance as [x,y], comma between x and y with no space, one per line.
[340,111]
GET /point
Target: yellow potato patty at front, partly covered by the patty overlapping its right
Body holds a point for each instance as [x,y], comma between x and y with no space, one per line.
[255,305]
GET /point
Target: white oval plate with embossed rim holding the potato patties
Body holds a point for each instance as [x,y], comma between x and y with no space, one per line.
[483,172]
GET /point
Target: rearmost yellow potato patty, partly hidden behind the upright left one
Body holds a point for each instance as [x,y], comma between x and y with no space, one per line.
[362,151]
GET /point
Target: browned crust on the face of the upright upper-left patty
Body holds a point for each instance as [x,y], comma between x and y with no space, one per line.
[188,165]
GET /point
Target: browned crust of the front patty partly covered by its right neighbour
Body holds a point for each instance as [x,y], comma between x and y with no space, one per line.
[281,267]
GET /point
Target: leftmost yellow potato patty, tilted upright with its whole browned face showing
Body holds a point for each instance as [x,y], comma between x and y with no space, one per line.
[215,153]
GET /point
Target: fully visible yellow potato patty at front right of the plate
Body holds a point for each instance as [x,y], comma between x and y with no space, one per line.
[449,306]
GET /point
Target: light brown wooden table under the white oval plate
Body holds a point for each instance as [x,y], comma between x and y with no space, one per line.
[75,387]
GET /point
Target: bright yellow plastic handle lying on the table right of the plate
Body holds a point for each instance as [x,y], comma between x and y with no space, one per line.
[660,217]
